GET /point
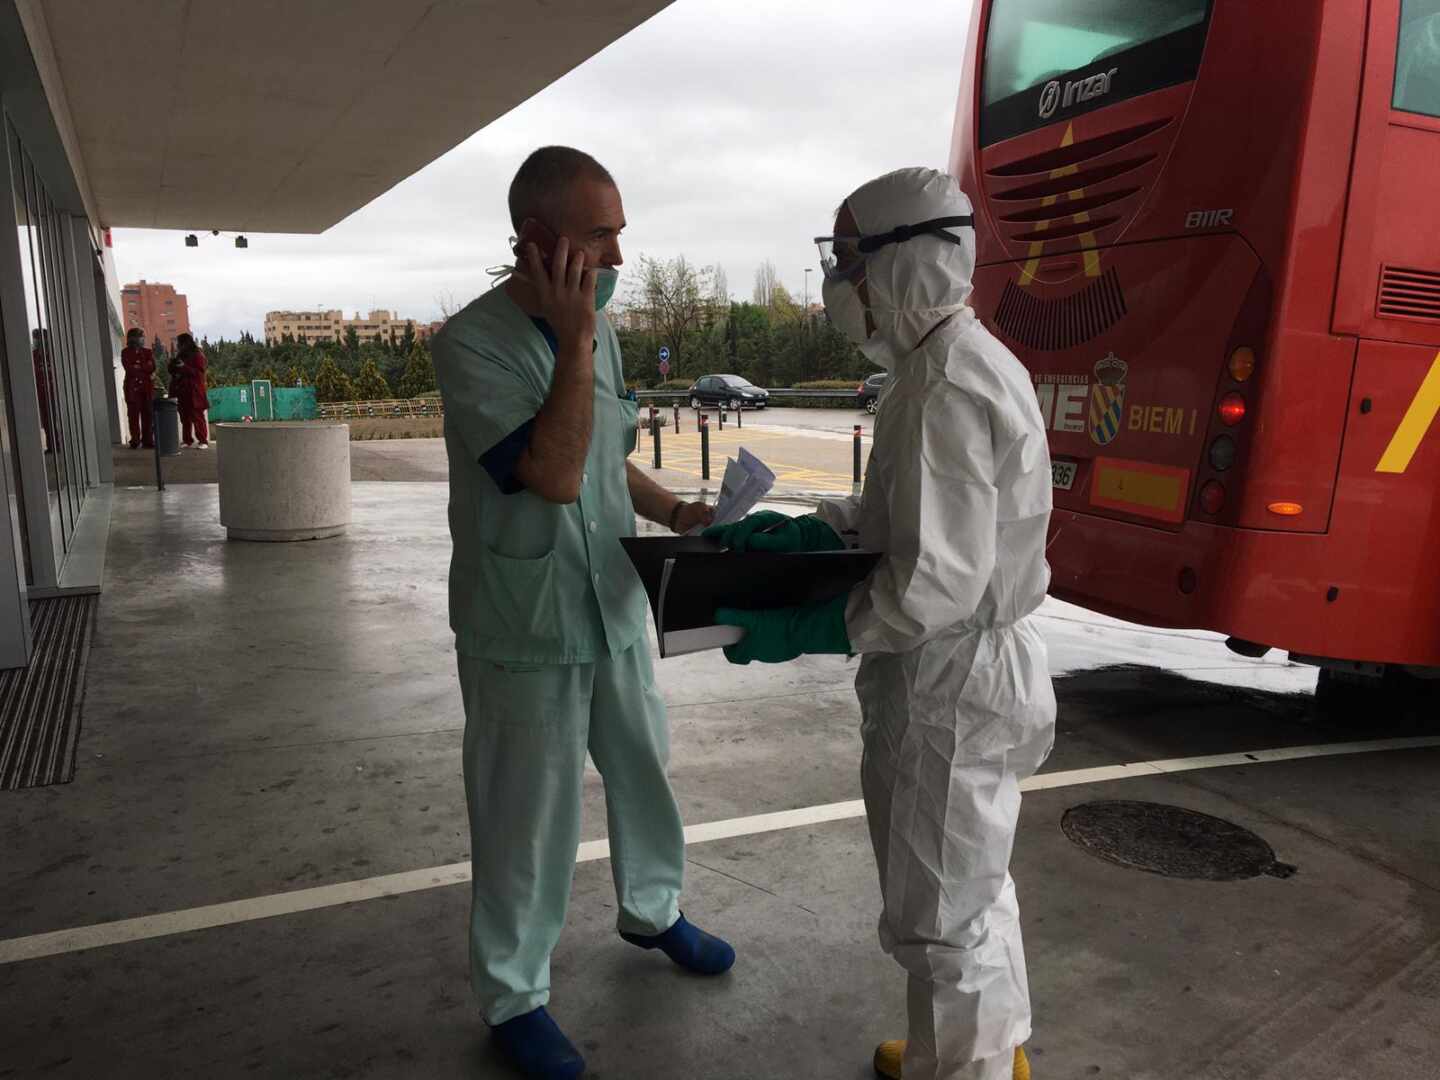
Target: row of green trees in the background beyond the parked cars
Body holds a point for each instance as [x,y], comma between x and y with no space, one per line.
[771,341]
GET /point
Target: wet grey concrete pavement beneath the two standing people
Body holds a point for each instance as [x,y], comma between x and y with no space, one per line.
[267,719]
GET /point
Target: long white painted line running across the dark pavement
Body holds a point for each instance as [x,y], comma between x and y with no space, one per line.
[163,925]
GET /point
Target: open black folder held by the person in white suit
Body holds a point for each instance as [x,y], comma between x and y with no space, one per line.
[688,578]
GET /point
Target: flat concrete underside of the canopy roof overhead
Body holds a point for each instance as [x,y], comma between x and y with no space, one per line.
[287,116]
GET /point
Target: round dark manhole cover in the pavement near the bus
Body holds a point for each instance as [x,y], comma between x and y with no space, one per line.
[1171,842]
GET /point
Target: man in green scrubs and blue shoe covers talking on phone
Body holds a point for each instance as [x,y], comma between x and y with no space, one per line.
[548,613]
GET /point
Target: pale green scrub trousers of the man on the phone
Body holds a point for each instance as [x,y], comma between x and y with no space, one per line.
[528,728]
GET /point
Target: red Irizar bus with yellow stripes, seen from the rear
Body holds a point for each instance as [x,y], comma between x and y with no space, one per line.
[1212,233]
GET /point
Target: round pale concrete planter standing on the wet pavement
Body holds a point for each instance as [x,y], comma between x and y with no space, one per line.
[284,482]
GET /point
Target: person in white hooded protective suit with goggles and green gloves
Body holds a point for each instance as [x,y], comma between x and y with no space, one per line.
[954,686]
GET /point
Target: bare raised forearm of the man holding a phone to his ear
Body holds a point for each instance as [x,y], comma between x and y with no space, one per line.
[555,462]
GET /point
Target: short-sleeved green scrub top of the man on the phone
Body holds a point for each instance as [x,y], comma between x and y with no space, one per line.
[535,582]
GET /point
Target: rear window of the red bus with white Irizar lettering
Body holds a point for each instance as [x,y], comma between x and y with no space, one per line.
[1053,60]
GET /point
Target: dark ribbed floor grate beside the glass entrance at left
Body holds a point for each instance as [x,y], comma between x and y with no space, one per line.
[41,705]
